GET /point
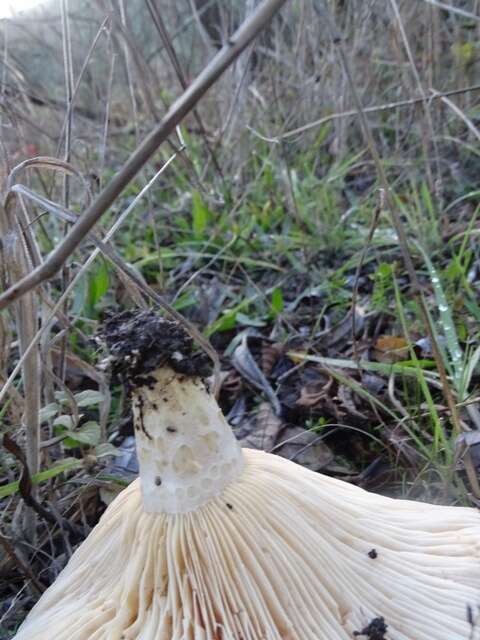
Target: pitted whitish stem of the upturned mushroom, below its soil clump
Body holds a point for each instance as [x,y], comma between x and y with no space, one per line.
[186,449]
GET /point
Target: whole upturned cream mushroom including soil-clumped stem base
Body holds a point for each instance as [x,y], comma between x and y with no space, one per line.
[213,542]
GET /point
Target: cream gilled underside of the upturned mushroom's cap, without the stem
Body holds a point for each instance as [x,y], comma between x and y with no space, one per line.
[282,554]
